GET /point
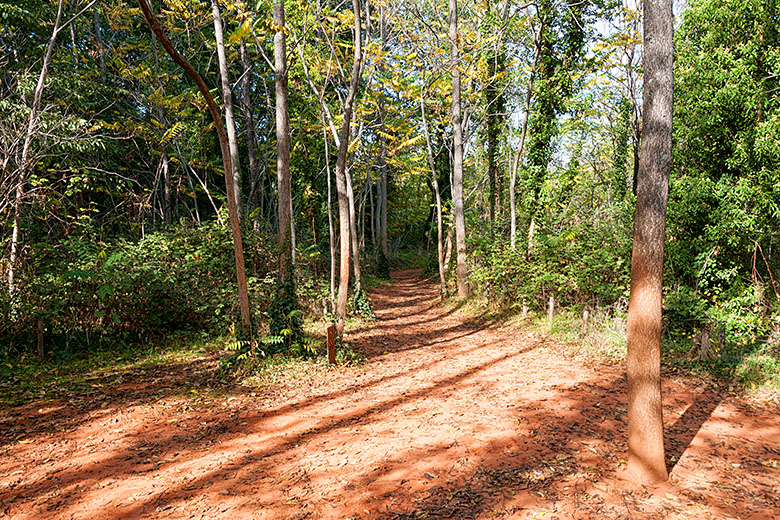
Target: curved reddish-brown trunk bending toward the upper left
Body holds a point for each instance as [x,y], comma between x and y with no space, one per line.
[227,164]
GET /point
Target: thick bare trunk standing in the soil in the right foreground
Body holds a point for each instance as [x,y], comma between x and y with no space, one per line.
[646,462]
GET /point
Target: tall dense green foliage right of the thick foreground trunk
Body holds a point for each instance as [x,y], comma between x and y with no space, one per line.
[724,206]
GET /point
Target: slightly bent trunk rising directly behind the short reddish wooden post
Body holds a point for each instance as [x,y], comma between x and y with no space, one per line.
[341,178]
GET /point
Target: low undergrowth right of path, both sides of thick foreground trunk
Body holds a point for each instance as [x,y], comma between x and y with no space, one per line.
[728,330]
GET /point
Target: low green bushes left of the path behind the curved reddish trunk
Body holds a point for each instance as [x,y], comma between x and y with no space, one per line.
[89,292]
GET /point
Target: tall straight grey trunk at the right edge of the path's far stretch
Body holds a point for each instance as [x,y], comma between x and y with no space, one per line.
[457,162]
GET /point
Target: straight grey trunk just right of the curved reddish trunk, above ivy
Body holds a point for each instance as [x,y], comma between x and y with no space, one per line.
[284,203]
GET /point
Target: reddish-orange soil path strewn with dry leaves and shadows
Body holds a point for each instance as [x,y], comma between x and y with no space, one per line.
[451,417]
